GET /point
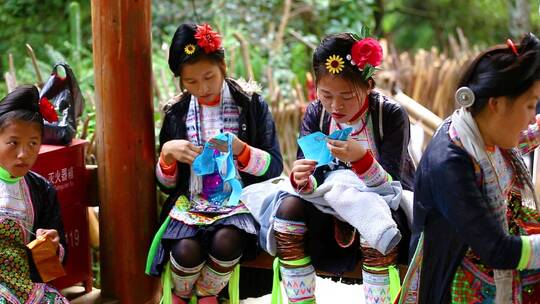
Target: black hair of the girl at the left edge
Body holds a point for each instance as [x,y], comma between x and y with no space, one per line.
[21,104]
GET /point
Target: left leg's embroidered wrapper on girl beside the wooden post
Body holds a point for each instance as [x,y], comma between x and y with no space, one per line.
[184,278]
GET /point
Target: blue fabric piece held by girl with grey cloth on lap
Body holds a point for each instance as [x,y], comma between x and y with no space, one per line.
[314,145]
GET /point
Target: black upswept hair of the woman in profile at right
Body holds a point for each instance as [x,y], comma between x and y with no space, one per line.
[500,72]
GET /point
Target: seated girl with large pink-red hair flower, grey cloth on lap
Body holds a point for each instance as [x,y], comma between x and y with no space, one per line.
[310,226]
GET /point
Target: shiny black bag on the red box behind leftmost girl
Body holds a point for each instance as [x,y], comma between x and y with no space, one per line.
[64,94]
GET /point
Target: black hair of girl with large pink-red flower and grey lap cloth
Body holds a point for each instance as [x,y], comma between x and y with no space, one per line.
[338,44]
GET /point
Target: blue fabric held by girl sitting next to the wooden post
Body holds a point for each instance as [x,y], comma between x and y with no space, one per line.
[208,161]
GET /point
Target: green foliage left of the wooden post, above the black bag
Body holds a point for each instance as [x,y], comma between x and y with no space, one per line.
[57,32]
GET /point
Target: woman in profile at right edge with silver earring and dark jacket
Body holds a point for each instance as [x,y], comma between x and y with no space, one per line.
[475,210]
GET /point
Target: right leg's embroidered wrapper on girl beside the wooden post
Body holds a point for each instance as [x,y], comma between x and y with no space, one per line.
[214,276]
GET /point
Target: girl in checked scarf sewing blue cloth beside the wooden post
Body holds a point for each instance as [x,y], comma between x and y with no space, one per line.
[204,235]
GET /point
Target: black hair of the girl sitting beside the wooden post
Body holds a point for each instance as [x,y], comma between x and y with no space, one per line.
[184,36]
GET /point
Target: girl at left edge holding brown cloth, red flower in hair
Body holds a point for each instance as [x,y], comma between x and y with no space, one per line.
[28,204]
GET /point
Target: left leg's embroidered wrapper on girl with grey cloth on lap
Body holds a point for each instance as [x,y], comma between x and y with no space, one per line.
[297,273]
